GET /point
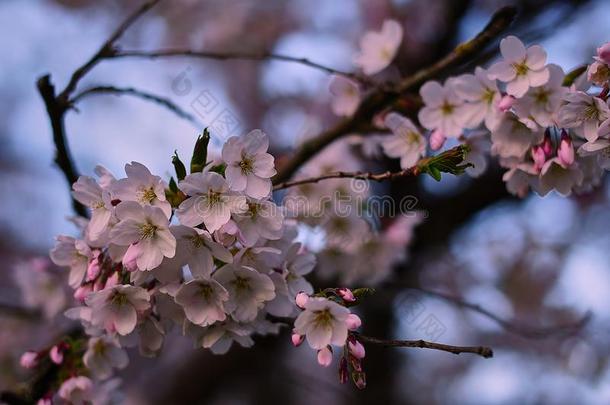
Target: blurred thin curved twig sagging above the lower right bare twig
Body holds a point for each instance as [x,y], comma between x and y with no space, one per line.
[512,326]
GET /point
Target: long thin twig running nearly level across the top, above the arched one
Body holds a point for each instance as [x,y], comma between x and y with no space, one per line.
[257,56]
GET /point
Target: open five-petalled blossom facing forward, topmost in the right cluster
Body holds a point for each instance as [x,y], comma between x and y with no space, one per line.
[521,68]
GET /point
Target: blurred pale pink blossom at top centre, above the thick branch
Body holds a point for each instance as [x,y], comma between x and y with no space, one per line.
[378,48]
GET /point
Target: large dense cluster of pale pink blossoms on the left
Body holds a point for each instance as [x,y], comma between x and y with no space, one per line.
[211,254]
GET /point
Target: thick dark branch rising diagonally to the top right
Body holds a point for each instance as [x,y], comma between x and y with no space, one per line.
[382,98]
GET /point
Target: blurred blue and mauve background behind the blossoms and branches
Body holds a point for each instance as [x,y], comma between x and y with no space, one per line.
[537,262]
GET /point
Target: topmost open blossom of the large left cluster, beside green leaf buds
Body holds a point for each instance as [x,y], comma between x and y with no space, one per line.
[249,166]
